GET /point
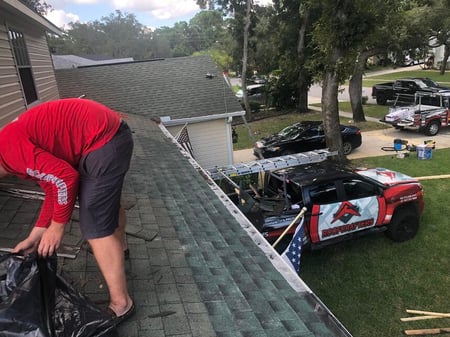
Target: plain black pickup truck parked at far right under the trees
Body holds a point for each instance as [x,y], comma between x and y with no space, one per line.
[403,90]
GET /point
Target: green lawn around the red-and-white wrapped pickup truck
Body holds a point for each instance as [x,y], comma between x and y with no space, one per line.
[368,283]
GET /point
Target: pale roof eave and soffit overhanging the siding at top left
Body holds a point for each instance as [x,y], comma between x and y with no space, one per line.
[17,8]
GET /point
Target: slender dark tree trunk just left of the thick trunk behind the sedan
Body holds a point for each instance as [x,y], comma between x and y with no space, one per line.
[303,83]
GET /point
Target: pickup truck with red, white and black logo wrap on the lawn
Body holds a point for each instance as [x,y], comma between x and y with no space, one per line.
[340,202]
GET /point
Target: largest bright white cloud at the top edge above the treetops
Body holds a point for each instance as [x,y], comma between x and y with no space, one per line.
[162,10]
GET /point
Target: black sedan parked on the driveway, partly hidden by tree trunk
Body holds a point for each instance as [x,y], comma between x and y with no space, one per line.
[302,137]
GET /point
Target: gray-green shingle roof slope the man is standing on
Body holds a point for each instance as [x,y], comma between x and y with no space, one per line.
[194,270]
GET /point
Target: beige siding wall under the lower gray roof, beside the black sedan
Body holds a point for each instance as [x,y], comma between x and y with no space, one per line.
[209,142]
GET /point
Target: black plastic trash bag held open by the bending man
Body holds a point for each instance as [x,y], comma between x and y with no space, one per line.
[35,301]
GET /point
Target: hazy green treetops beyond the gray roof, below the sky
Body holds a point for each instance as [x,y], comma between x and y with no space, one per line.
[122,35]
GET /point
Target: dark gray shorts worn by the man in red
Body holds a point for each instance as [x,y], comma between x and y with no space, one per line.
[102,173]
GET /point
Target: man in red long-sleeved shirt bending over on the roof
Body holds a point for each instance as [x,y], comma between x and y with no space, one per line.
[75,148]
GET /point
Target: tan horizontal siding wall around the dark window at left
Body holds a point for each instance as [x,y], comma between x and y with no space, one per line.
[12,101]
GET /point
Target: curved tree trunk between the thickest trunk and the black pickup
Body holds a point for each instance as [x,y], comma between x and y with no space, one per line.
[355,88]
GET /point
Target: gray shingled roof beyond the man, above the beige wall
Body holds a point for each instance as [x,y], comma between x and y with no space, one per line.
[183,87]
